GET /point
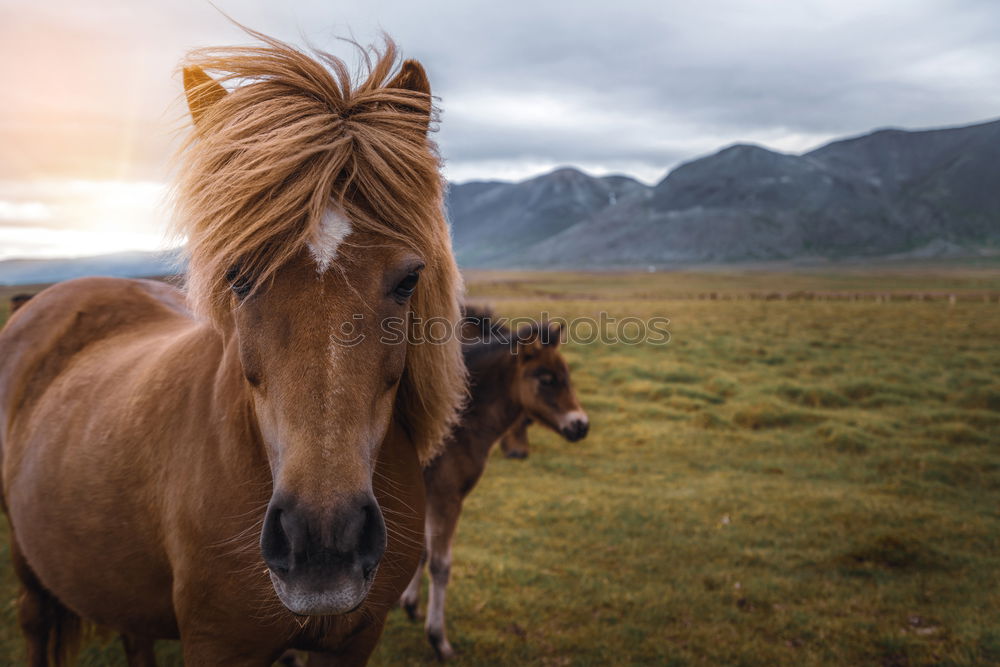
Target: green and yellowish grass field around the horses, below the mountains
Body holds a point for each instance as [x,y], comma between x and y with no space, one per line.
[785,482]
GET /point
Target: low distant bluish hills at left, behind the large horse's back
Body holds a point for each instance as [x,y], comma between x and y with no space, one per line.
[120,265]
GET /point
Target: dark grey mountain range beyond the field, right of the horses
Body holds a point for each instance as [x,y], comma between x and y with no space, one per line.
[890,192]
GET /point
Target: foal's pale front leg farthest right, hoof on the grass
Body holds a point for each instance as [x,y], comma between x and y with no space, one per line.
[441,525]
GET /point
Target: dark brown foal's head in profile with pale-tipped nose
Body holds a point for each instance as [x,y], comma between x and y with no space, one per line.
[542,383]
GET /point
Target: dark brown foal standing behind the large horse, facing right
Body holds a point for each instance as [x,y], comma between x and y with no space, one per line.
[512,375]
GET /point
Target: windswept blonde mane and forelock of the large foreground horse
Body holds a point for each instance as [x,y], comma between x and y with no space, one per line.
[295,137]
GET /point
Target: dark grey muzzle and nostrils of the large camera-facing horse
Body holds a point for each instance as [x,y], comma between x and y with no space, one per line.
[322,562]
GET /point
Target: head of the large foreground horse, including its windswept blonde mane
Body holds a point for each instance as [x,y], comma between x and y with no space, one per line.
[313,213]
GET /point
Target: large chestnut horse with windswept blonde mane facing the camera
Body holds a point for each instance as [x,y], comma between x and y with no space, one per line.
[245,475]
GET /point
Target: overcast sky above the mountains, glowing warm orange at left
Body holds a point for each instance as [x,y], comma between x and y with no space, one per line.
[90,90]
